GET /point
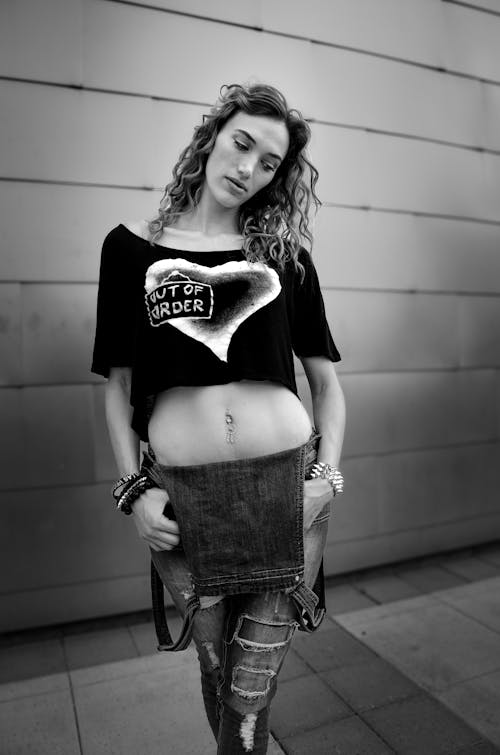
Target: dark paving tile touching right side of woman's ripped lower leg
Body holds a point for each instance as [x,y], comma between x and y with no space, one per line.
[302,704]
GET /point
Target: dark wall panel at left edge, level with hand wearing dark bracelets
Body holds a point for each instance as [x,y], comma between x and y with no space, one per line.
[78,538]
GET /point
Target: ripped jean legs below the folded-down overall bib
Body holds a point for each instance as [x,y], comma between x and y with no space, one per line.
[242,641]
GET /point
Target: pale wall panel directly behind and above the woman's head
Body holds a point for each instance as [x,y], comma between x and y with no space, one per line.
[148,44]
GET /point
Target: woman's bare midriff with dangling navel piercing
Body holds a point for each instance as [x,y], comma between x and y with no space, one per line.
[245,419]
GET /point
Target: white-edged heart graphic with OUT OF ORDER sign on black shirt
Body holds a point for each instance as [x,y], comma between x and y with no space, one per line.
[208,303]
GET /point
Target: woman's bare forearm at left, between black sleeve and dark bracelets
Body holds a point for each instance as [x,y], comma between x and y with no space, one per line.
[124,441]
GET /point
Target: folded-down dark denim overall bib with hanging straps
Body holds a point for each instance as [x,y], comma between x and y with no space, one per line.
[241,531]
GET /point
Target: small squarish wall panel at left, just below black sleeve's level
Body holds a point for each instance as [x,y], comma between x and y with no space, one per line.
[58,332]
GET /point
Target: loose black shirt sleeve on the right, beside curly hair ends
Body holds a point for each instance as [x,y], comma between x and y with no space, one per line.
[311,334]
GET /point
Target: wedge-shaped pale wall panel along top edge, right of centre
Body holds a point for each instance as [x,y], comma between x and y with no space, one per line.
[398,28]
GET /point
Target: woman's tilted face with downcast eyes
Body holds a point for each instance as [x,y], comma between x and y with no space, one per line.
[245,157]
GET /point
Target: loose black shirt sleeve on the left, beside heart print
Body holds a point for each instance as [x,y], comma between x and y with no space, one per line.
[116,310]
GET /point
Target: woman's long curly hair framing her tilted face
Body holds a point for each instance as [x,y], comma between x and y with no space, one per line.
[274,222]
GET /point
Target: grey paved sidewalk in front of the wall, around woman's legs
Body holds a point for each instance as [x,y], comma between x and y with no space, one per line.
[408,661]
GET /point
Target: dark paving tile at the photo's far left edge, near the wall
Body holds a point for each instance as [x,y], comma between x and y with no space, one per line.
[31,659]
